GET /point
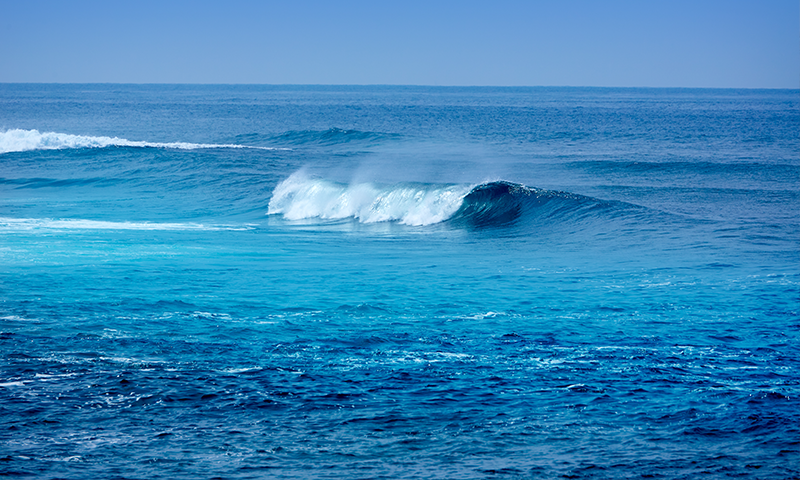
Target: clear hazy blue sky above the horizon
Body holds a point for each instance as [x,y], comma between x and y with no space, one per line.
[658,43]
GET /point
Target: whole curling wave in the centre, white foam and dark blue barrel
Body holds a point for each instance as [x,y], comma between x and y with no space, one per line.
[497,203]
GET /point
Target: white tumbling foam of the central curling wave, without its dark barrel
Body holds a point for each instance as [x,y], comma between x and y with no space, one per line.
[301,197]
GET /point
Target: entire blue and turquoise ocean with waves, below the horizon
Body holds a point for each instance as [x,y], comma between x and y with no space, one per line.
[398,282]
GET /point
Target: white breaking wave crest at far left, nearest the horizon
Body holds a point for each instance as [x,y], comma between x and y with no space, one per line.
[18,140]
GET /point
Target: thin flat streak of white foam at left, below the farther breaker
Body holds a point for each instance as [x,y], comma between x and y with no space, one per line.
[19,224]
